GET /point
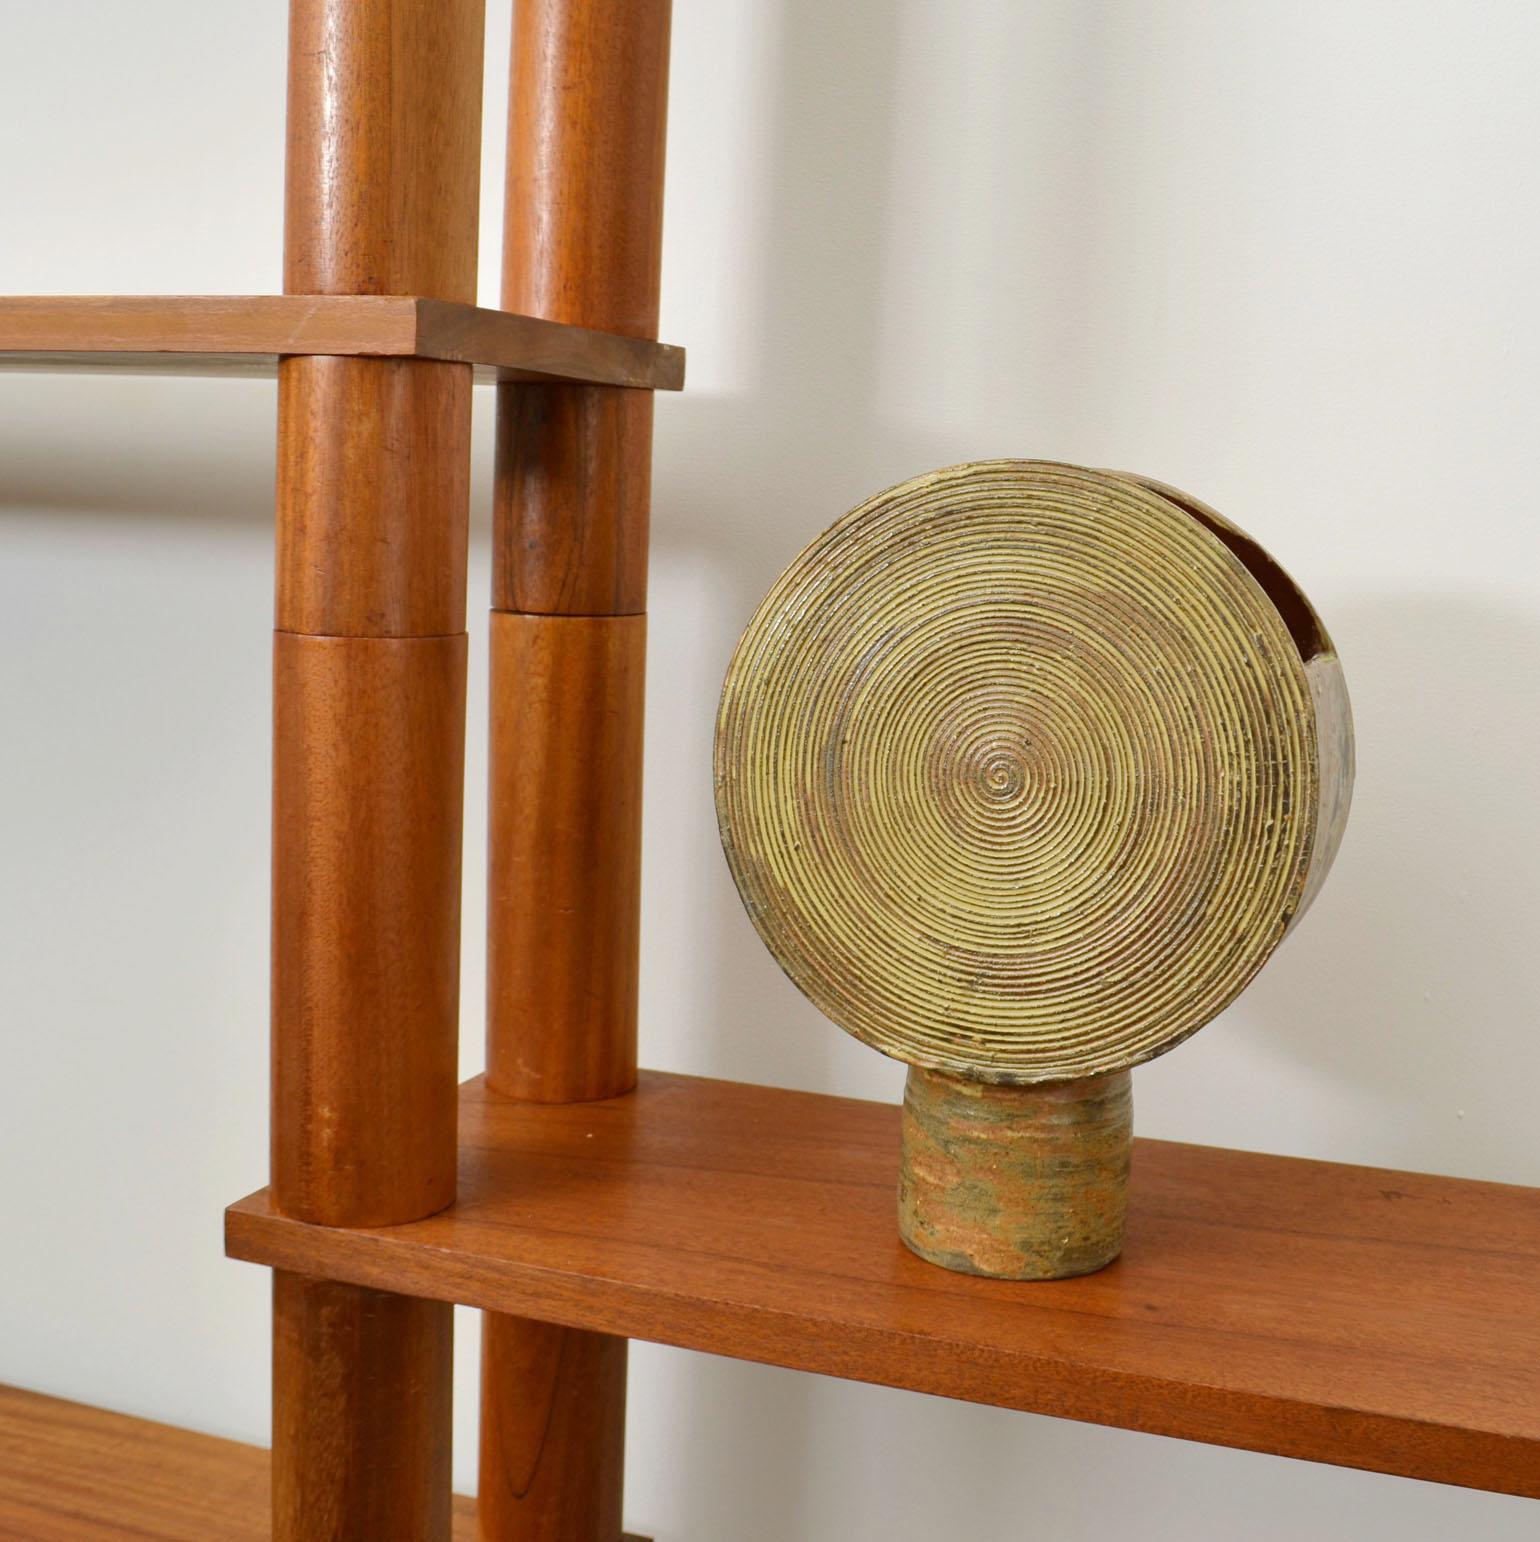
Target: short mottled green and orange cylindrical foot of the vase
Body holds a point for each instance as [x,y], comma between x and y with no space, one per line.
[1020,1183]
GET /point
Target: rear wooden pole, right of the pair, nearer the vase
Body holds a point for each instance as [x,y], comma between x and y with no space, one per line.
[582,244]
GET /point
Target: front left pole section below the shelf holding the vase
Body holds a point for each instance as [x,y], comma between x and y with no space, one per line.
[361,1441]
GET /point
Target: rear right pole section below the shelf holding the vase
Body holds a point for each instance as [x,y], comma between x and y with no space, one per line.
[554,1432]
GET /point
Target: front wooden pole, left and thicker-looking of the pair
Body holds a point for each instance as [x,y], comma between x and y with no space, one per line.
[385,147]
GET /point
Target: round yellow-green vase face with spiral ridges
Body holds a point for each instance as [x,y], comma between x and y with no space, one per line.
[1017,772]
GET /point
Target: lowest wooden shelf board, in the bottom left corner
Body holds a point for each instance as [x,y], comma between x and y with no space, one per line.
[75,1473]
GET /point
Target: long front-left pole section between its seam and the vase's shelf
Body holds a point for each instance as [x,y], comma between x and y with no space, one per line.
[368,798]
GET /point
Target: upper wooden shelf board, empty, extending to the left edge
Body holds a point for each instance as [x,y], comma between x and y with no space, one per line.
[247,335]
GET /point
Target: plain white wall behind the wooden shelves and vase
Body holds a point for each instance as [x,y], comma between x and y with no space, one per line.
[1279,252]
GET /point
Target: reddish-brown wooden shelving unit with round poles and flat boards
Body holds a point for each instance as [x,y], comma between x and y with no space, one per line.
[1342,1315]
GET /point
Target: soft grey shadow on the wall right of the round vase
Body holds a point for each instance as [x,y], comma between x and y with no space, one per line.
[1413,981]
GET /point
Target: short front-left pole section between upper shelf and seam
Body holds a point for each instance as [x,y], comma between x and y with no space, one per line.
[374,497]
